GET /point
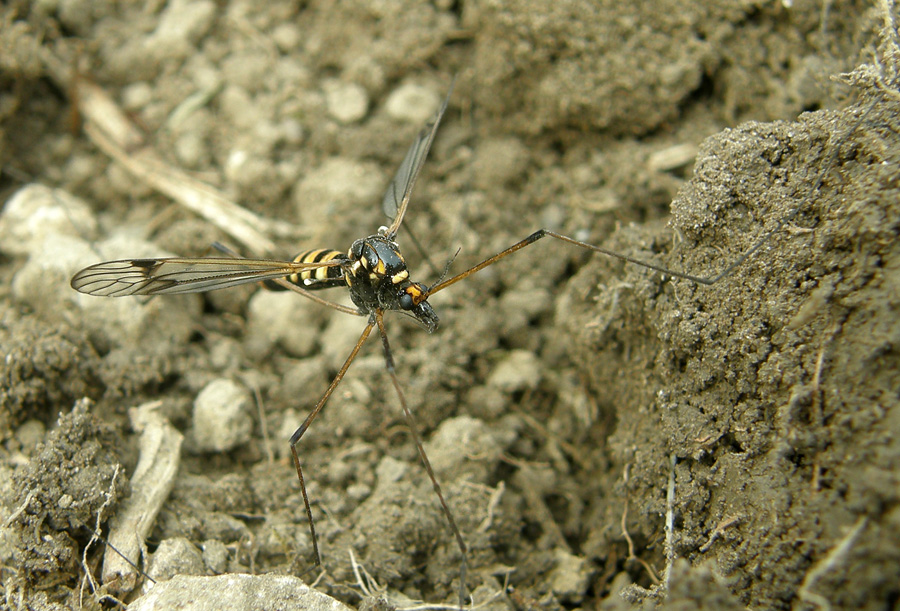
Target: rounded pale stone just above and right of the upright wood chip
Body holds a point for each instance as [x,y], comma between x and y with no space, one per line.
[222,417]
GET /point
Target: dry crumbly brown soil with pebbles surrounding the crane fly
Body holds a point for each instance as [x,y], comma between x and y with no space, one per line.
[607,436]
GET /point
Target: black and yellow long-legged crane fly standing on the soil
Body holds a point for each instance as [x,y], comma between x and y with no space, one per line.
[375,274]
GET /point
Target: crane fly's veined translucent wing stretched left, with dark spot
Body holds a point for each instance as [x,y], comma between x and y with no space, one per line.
[175,276]
